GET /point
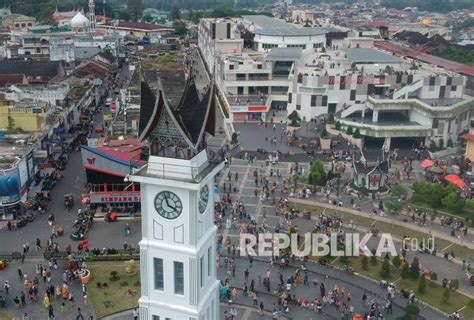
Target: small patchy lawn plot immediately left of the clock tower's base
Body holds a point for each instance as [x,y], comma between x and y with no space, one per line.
[115,297]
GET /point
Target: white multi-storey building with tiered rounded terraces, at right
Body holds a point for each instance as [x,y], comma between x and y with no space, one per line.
[386,97]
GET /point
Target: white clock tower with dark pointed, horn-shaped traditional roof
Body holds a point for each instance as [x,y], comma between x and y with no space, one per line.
[178,248]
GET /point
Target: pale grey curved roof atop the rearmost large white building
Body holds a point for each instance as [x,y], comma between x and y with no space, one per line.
[275,27]
